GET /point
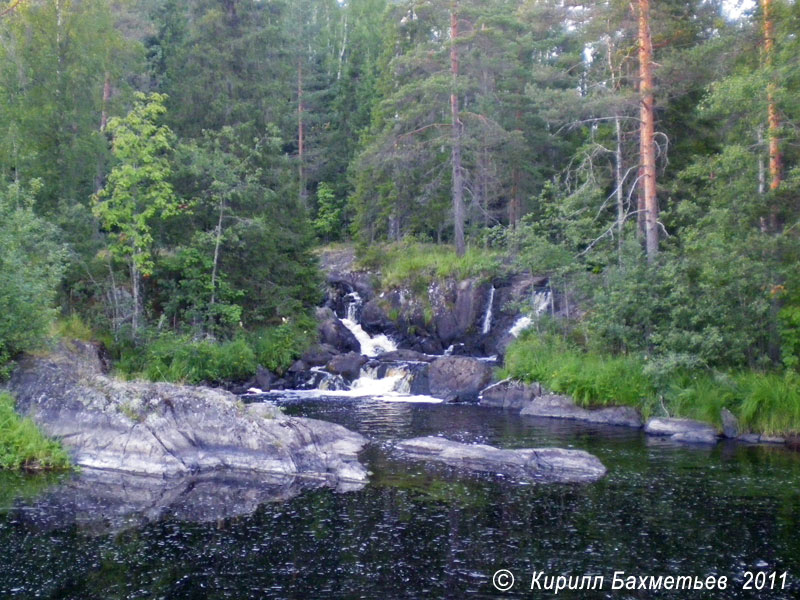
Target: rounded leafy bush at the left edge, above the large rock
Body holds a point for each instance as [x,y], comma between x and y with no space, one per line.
[31,264]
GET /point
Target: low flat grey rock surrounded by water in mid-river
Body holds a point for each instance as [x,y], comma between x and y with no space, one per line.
[538,464]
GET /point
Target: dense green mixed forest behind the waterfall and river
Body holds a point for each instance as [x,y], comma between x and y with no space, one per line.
[170,166]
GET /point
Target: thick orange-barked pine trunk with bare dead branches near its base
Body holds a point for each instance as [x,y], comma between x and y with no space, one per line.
[647,182]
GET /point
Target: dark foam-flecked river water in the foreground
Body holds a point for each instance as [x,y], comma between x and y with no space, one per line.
[420,531]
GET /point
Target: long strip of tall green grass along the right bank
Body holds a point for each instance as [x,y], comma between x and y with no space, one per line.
[766,403]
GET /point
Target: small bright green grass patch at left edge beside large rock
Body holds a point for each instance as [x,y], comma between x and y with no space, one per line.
[22,445]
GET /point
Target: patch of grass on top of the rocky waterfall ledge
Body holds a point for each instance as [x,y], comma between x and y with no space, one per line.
[415,265]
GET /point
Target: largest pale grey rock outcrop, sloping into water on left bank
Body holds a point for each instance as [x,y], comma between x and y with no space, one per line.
[169,430]
